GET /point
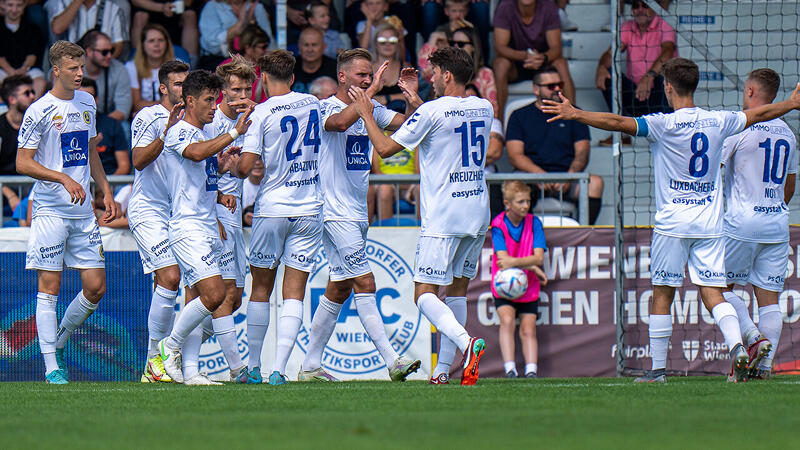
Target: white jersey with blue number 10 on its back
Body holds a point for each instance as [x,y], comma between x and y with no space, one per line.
[756,163]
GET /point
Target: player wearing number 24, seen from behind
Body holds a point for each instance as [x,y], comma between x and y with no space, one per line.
[287,221]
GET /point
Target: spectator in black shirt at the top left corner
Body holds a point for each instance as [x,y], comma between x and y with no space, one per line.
[22,46]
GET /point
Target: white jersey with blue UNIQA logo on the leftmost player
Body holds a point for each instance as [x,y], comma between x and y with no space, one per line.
[59,131]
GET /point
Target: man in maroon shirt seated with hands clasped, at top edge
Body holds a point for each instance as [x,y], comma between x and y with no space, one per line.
[527,37]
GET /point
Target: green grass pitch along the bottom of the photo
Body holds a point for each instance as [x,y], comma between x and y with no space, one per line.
[595,413]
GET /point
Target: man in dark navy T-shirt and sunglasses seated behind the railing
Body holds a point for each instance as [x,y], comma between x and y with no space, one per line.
[535,146]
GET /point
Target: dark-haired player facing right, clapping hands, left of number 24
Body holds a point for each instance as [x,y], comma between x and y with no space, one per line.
[194,236]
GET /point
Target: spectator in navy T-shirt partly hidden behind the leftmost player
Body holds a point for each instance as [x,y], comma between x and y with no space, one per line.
[112,146]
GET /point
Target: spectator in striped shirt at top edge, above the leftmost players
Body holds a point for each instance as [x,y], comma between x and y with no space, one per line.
[76,18]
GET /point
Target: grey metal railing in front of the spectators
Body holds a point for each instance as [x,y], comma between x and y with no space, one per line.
[582,179]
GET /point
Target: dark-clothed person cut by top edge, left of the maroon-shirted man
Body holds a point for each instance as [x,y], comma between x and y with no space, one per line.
[457,12]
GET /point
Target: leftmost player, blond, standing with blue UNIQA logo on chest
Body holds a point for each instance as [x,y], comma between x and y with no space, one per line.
[57,147]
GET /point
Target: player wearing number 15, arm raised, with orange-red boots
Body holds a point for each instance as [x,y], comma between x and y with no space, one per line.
[451,133]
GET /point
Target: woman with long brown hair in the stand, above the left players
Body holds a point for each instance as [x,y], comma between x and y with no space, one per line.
[154,50]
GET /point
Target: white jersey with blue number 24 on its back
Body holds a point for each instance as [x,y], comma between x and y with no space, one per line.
[285,132]
